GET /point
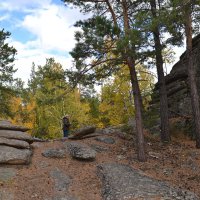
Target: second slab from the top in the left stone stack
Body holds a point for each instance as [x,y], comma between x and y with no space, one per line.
[18,135]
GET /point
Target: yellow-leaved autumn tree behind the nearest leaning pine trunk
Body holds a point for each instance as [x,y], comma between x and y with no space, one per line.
[117,105]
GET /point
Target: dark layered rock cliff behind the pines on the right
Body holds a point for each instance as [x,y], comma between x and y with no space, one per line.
[177,84]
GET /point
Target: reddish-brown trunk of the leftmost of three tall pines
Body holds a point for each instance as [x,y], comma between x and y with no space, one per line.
[136,91]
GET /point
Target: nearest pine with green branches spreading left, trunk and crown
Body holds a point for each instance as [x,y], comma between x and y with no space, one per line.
[109,39]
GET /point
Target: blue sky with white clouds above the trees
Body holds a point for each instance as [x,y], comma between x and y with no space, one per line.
[41,29]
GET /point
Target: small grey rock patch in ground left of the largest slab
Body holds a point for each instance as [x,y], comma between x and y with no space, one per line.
[62,181]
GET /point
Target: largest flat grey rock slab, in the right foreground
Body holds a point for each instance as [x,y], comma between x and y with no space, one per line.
[122,182]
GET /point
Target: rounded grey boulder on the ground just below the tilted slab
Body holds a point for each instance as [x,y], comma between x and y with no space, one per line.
[81,151]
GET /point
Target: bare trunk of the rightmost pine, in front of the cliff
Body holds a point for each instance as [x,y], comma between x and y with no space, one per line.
[192,74]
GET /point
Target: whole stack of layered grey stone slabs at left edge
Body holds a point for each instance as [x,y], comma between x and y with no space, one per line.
[14,144]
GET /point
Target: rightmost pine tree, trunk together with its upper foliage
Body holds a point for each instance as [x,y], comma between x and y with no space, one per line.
[188,15]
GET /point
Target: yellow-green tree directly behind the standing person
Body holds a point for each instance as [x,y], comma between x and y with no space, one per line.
[54,98]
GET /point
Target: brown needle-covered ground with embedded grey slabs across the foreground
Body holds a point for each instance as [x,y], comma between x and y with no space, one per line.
[114,174]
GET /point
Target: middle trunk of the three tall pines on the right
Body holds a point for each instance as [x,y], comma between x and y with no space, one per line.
[164,116]
